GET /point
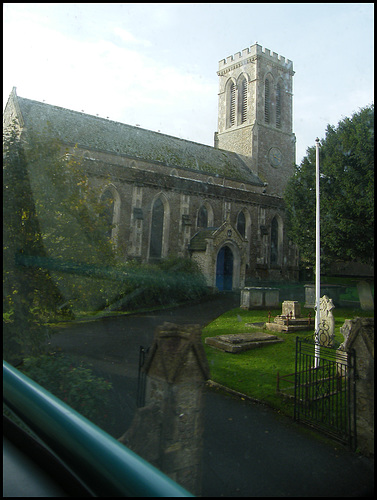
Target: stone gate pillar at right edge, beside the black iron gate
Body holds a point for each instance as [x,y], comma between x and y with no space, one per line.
[359,334]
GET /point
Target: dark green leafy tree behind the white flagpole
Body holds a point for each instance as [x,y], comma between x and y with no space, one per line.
[346,194]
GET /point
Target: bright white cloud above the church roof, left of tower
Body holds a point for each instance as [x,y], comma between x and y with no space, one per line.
[111,80]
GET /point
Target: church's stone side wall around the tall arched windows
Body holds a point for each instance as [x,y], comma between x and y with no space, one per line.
[138,187]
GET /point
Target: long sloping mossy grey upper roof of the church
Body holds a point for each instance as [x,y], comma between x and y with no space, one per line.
[96,133]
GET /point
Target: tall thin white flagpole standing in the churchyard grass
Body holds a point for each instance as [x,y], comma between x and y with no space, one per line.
[317,258]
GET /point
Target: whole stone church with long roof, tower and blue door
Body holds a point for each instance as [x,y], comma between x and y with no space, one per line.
[221,206]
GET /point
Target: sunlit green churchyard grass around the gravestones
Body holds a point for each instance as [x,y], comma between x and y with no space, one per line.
[254,372]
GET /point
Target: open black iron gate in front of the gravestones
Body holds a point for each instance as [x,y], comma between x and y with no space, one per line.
[325,390]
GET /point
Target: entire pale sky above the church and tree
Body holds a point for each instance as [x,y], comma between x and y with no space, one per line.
[155,65]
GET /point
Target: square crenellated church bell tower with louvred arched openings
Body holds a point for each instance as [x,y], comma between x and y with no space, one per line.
[255,113]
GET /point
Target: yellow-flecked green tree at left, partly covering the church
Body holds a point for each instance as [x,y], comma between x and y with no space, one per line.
[55,238]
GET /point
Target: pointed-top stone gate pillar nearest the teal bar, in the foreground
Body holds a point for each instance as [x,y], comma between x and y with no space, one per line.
[168,430]
